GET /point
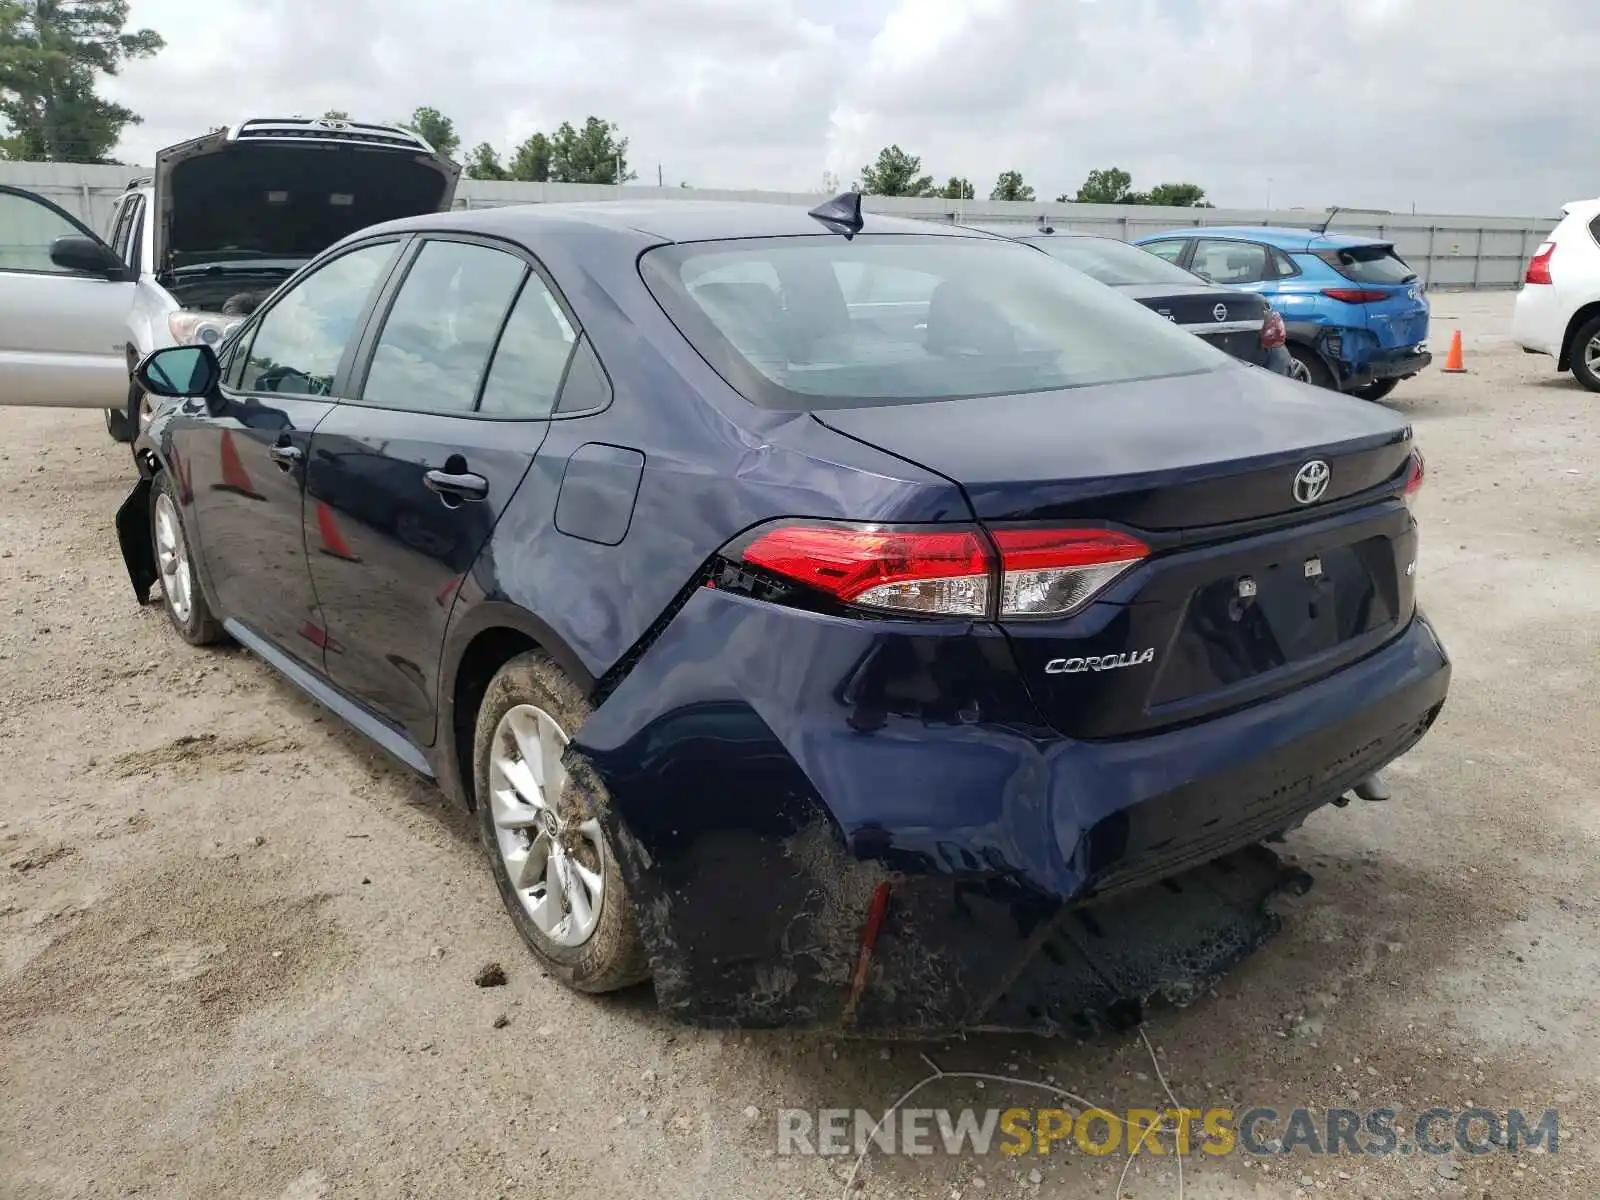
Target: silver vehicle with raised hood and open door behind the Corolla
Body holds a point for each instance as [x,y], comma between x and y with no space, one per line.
[191,250]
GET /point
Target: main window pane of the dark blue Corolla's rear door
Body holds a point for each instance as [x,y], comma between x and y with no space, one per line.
[442,329]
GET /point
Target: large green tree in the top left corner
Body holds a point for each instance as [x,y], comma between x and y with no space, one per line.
[52,54]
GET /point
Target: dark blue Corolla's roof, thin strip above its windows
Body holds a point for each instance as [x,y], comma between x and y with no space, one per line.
[660,220]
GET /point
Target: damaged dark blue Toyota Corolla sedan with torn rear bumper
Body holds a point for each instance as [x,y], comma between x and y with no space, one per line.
[842,623]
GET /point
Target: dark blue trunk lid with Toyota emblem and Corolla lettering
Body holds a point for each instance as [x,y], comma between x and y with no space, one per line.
[1249,590]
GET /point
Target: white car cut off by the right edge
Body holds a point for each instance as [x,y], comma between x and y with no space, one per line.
[1559,306]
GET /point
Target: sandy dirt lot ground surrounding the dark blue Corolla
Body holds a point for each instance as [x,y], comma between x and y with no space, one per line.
[238,948]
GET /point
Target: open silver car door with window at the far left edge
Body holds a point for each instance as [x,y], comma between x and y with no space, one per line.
[62,332]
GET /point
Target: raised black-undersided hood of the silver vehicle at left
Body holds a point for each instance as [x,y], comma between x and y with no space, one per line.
[286,198]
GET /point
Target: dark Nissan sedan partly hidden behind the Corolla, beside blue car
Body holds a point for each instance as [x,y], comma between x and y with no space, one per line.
[1233,321]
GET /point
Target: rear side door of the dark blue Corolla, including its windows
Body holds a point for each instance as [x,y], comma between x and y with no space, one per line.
[409,478]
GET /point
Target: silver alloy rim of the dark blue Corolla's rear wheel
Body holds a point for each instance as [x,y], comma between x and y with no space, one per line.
[556,866]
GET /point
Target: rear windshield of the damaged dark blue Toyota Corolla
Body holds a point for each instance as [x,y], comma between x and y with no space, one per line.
[820,322]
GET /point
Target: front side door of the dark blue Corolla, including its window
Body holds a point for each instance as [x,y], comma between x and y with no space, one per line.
[242,462]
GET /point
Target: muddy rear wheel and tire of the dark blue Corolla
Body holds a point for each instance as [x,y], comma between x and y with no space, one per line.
[554,868]
